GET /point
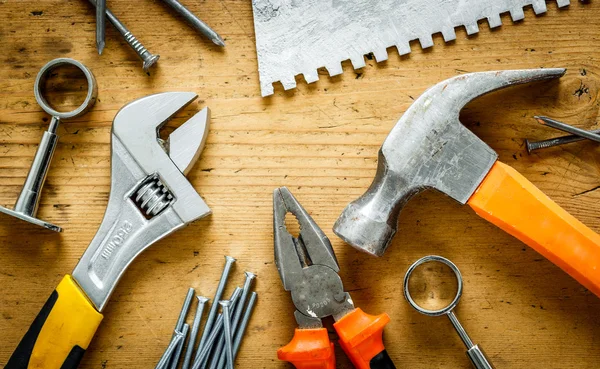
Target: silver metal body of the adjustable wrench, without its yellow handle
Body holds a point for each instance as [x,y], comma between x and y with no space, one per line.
[126,230]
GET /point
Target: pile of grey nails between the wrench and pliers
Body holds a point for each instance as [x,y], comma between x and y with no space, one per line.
[222,335]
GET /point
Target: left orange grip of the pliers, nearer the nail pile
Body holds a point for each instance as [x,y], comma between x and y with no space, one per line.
[309,349]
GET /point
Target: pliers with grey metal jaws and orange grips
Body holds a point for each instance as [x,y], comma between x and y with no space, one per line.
[309,270]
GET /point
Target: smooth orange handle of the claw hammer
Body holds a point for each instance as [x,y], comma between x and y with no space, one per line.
[507,199]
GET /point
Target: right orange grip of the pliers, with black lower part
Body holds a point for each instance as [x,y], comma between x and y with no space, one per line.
[361,336]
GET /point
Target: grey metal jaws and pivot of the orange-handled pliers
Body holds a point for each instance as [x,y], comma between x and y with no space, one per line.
[307,265]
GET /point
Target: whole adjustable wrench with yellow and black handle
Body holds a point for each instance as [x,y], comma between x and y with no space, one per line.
[150,198]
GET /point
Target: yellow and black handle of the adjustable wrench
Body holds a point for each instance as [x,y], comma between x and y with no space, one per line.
[61,332]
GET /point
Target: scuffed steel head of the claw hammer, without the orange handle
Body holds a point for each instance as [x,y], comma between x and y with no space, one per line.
[428,148]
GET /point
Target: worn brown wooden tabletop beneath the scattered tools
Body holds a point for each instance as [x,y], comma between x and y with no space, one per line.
[321,141]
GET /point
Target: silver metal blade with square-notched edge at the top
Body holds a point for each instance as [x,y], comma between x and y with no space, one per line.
[296,37]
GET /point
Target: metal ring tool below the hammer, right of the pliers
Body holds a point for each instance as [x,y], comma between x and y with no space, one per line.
[474,352]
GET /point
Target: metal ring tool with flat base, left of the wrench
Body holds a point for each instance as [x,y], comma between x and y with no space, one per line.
[27,204]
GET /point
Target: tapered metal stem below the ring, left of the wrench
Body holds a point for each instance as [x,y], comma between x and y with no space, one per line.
[29,197]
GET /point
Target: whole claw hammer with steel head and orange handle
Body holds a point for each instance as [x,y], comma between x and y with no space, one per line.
[429,148]
